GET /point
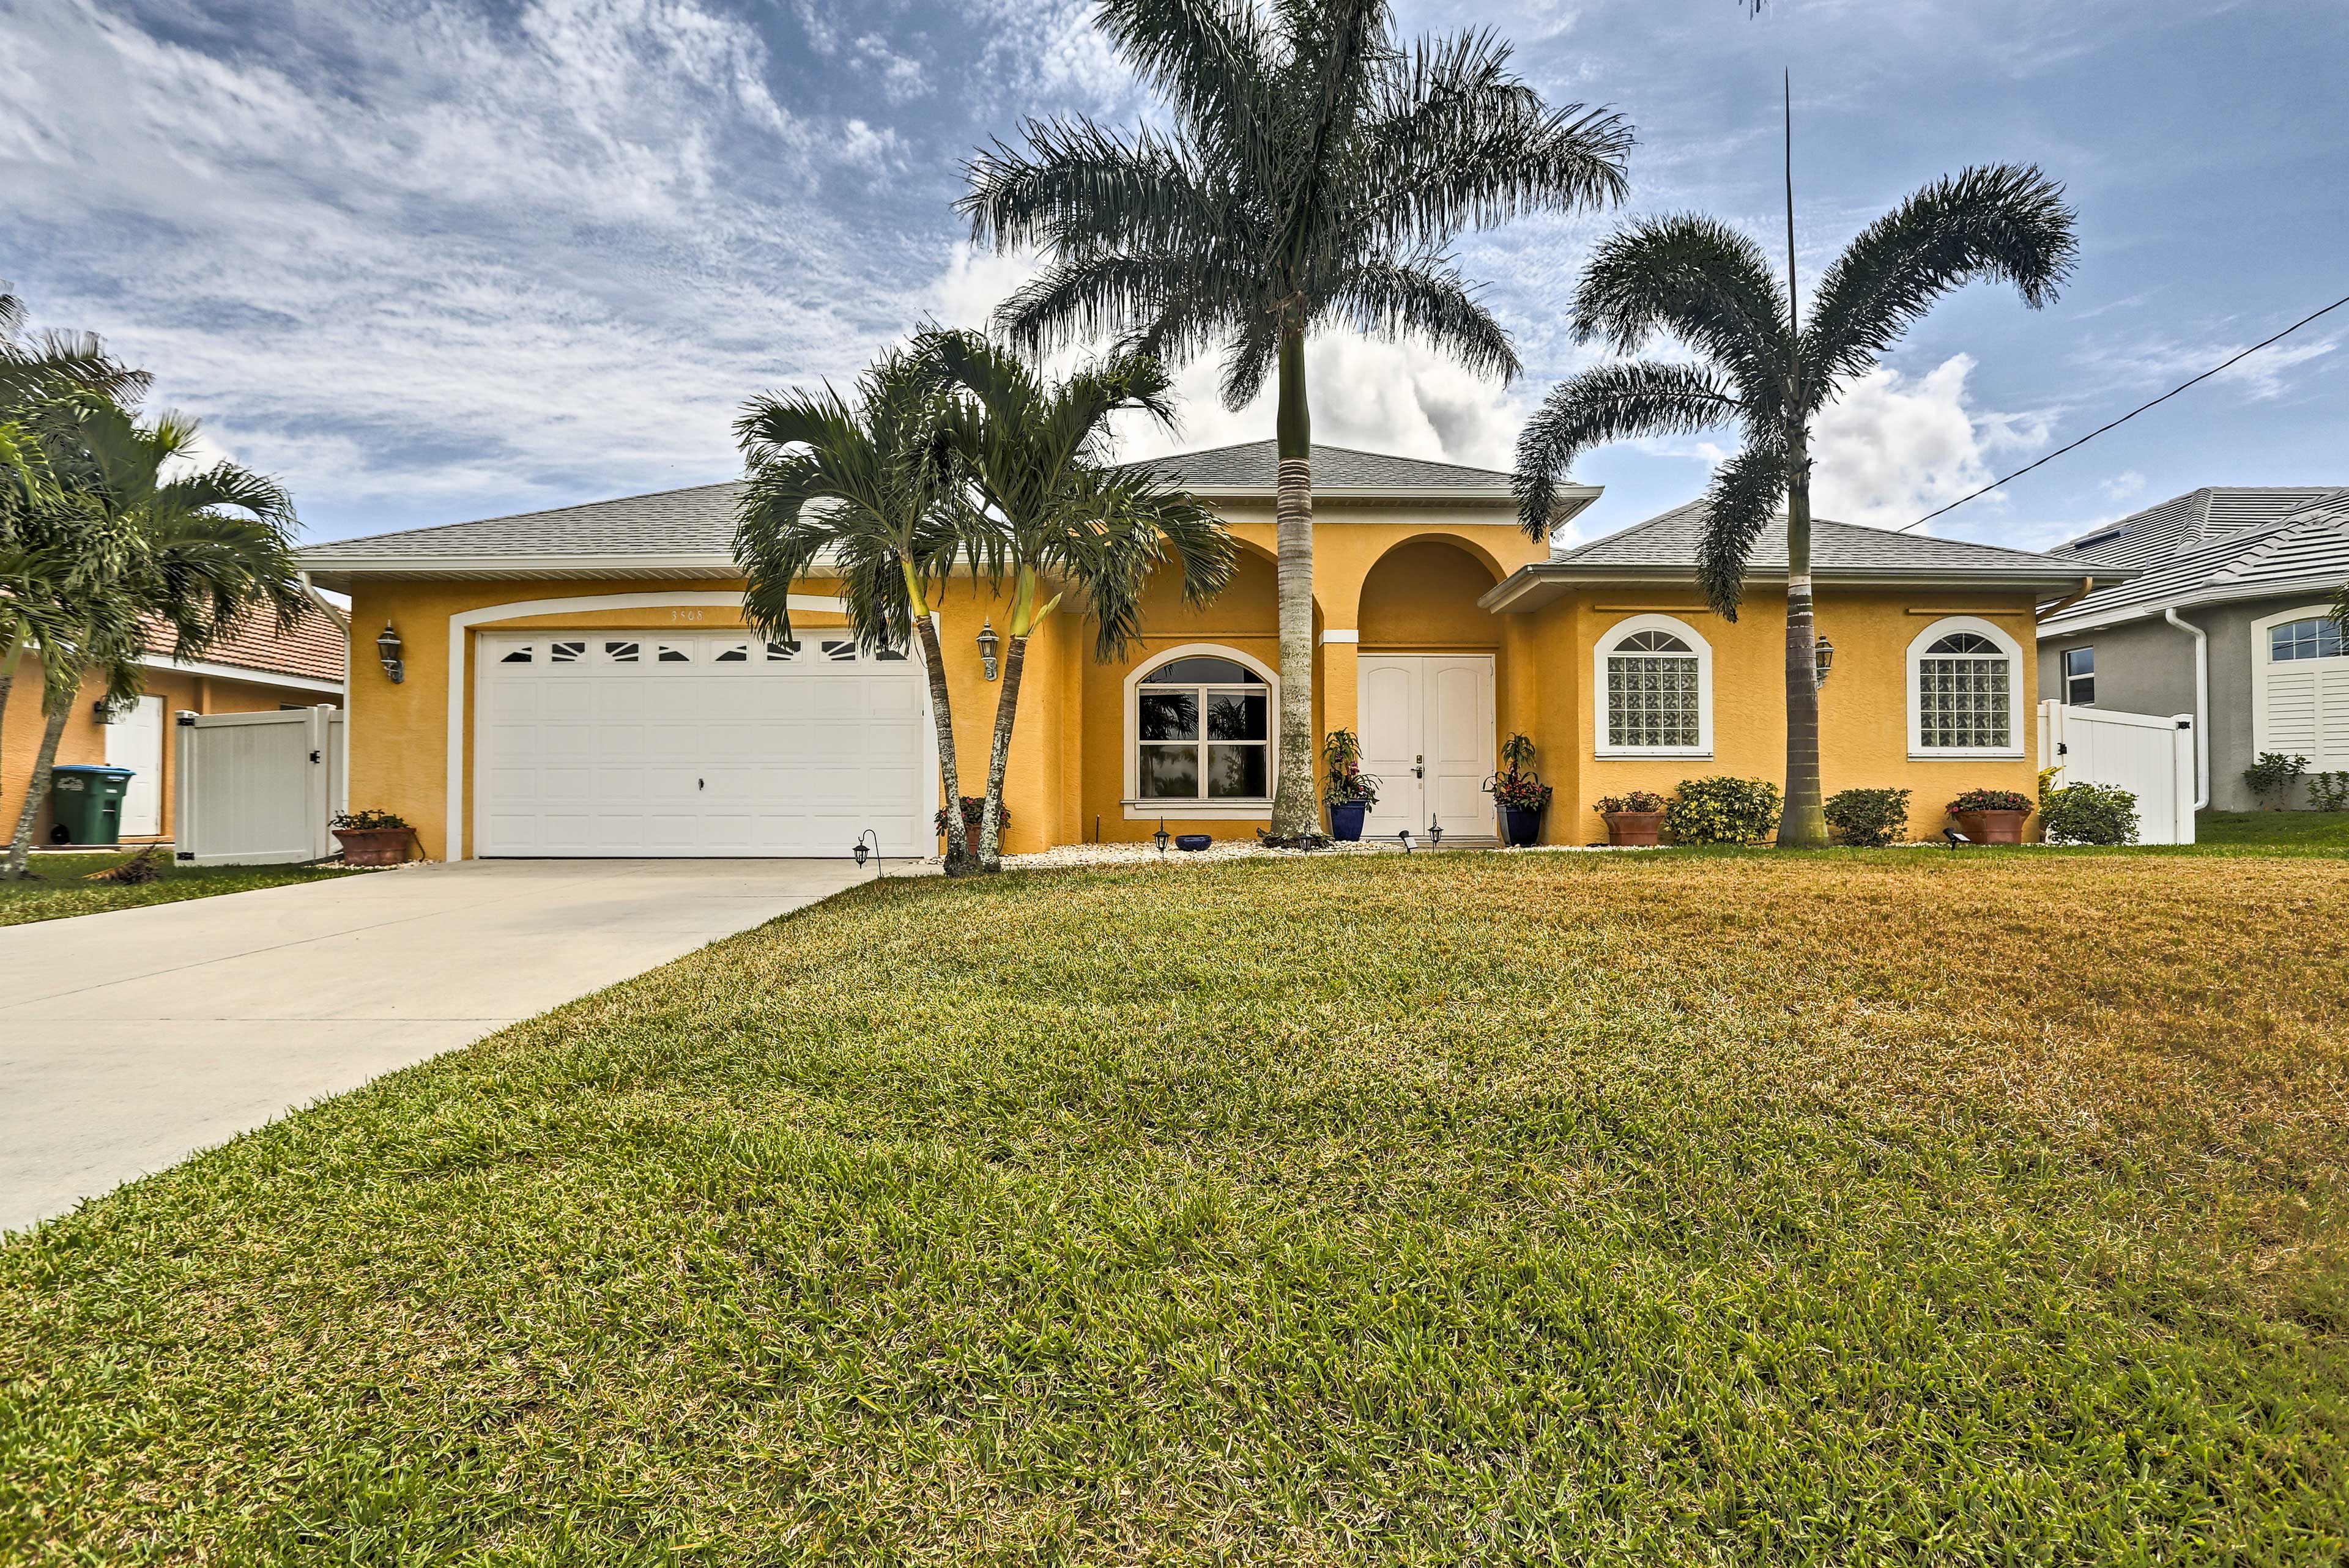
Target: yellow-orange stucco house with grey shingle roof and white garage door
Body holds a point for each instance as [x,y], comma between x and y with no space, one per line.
[579,682]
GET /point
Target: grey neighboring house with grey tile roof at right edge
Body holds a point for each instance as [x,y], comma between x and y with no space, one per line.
[2233,590]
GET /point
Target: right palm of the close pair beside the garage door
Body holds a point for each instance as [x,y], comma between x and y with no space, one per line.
[1039,461]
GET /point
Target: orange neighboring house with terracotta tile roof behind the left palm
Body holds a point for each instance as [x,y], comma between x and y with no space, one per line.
[250,670]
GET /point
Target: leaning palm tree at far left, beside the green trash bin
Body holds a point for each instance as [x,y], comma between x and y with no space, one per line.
[187,553]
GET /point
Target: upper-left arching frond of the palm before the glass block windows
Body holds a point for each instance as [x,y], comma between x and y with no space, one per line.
[1702,283]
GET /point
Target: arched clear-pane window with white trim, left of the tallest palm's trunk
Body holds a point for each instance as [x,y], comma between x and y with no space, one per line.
[1204,731]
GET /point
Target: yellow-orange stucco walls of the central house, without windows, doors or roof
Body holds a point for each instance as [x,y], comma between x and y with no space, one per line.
[1394,579]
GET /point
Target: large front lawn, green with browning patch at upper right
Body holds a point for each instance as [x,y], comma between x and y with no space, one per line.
[1446,1210]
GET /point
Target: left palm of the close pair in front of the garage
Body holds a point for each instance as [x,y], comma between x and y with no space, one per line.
[863,494]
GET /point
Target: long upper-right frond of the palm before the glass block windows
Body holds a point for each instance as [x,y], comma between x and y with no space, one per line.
[2005,224]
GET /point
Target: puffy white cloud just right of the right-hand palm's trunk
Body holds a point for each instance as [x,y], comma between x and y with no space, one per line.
[1897,447]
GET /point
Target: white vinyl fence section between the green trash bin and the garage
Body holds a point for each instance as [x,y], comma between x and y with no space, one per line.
[257,790]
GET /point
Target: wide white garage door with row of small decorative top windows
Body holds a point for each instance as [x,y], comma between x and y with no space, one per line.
[647,743]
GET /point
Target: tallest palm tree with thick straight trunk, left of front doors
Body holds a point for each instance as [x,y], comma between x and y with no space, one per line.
[1317,177]
